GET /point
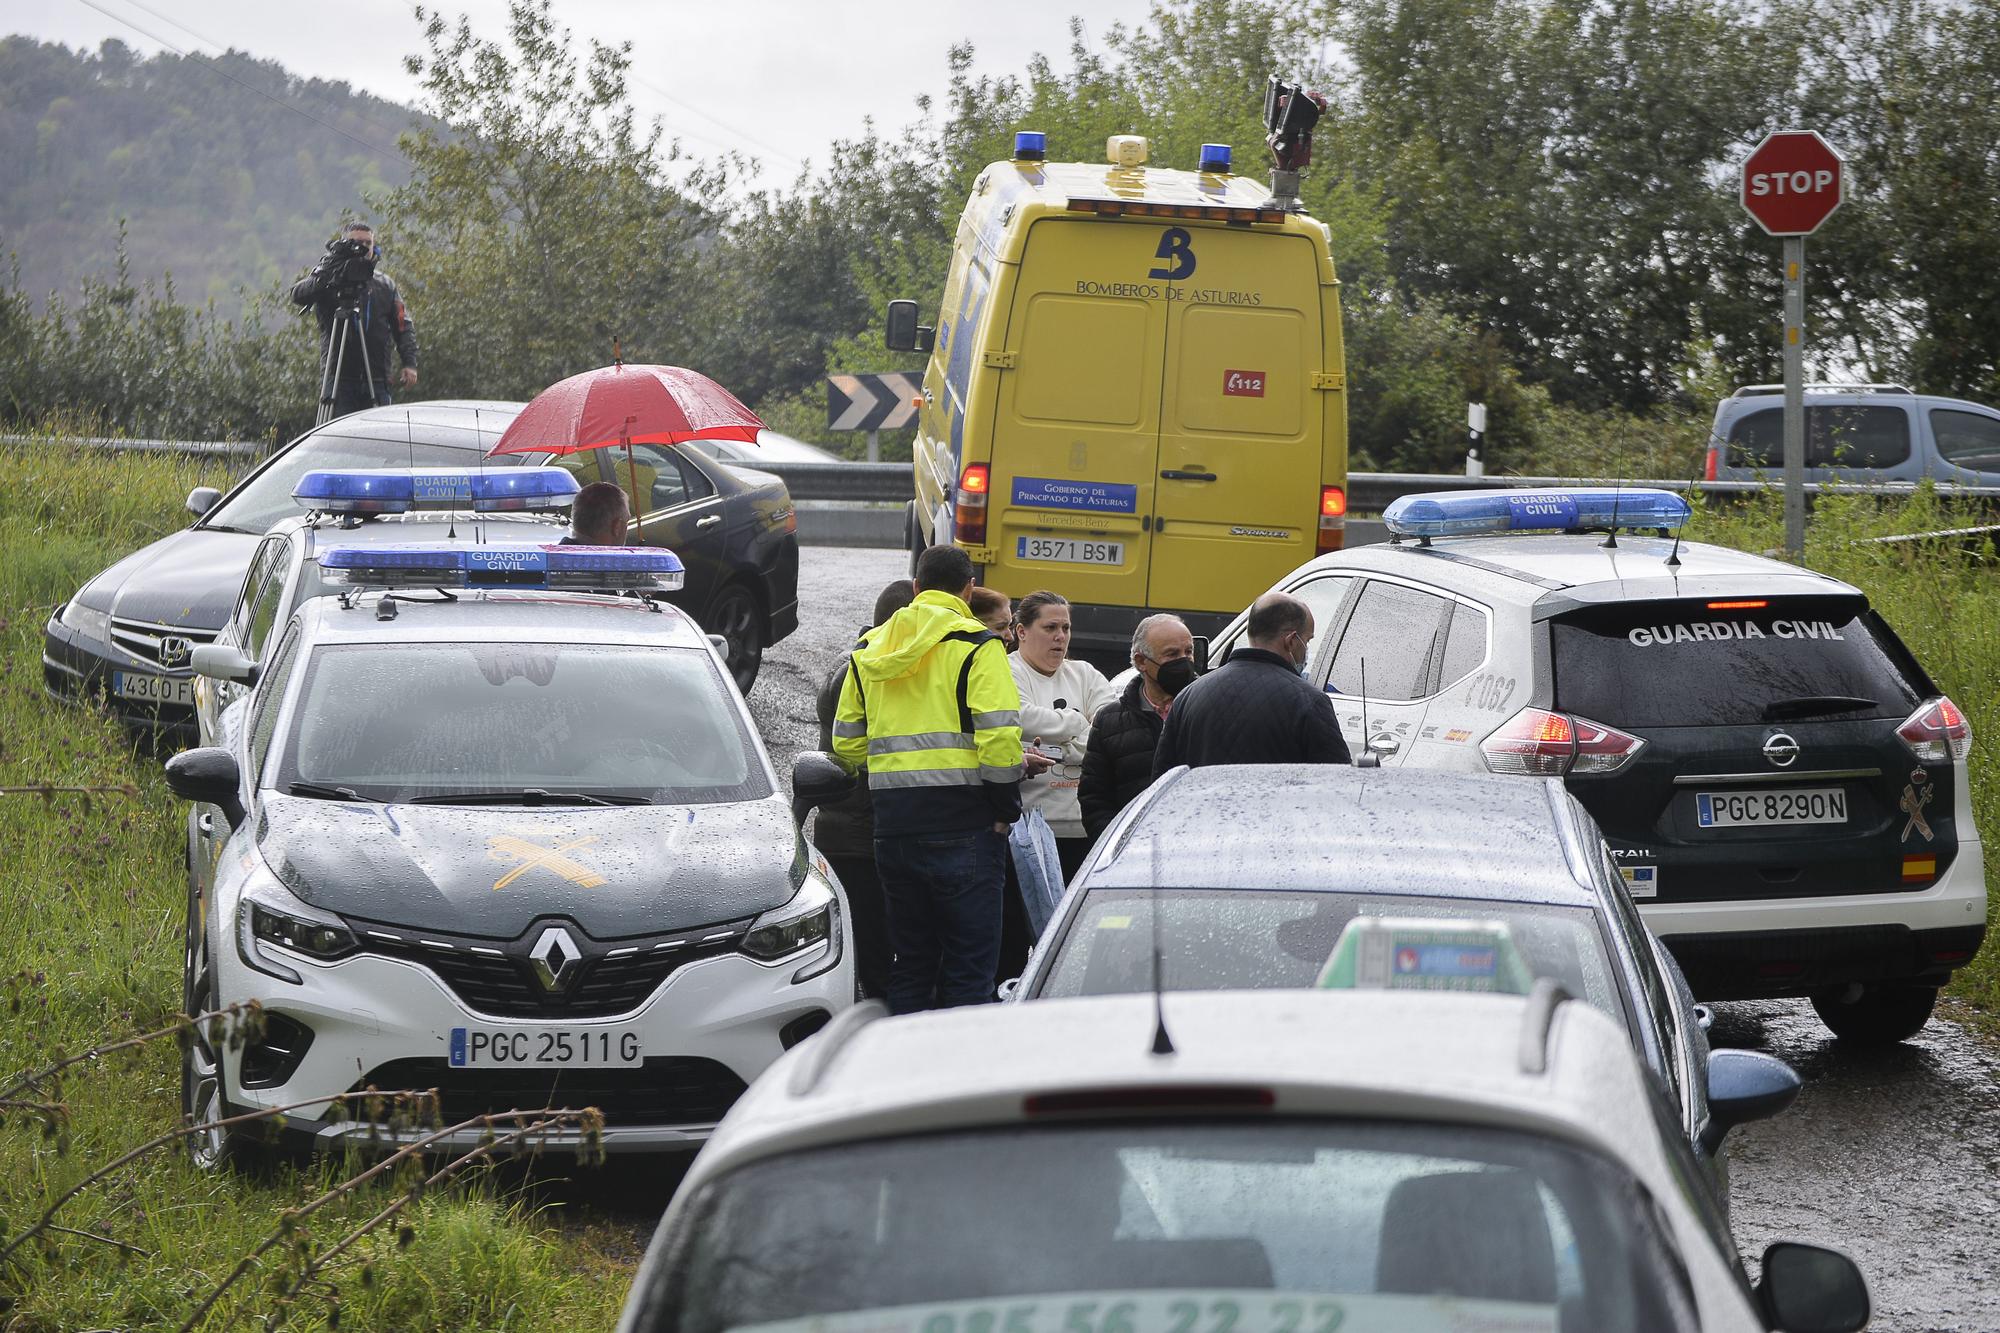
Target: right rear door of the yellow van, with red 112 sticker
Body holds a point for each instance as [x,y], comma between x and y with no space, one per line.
[1243,429]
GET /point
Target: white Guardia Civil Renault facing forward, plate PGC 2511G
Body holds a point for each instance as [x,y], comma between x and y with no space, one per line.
[495,832]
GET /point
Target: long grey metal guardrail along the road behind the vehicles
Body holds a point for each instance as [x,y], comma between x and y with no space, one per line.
[891,483]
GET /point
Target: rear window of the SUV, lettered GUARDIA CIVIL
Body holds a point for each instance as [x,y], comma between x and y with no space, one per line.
[1731,663]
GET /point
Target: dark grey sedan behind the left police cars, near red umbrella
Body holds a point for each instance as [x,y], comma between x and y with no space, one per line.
[131,631]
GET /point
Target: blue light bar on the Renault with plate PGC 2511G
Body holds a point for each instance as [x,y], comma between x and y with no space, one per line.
[607,569]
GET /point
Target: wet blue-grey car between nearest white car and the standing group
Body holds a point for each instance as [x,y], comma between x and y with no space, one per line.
[1331,876]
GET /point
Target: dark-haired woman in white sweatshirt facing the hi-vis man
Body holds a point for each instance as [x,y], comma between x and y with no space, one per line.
[1059,698]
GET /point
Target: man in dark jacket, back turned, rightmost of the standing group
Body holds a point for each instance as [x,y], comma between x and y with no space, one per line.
[1257,708]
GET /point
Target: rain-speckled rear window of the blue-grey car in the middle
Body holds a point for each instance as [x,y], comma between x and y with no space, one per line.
[1233,940]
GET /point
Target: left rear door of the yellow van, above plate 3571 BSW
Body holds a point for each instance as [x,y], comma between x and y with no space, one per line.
[1079,415]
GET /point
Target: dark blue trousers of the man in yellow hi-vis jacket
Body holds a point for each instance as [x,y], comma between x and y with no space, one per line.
[945,898]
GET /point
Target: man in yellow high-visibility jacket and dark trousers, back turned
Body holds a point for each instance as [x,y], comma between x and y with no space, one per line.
[931,712]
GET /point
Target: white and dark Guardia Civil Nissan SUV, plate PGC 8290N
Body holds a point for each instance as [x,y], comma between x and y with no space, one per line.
[1777,776]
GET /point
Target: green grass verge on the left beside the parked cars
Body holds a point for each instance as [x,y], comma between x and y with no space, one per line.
[91,920]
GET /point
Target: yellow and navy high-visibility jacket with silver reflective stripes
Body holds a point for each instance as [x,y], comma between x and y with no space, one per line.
[931,710]
